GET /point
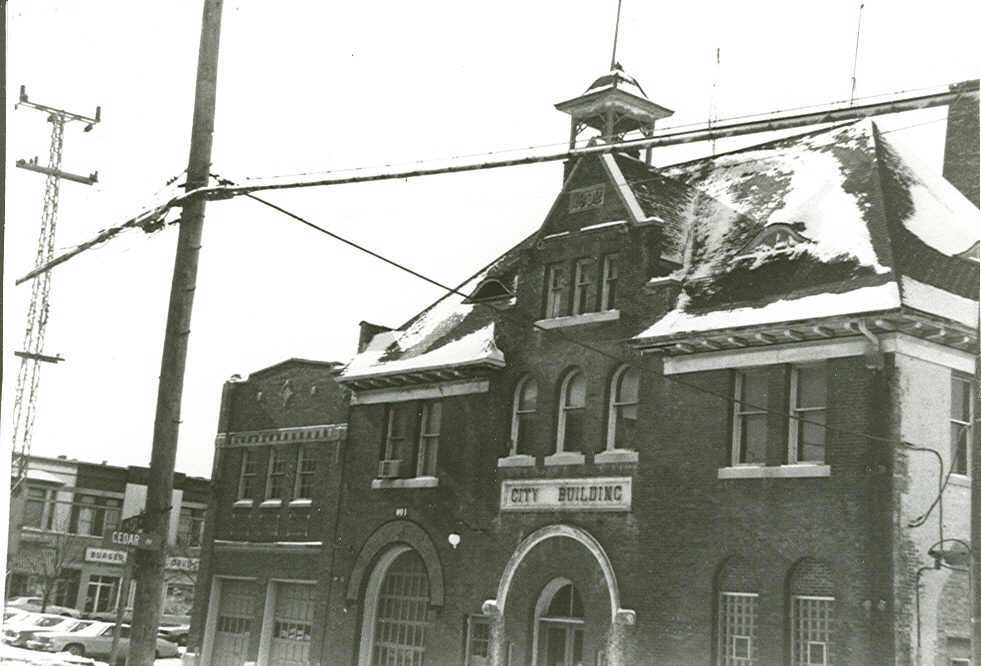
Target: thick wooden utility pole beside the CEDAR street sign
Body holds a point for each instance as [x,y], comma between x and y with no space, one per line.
[149,564]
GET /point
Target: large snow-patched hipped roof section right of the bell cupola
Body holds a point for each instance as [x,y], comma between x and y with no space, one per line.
[873,231]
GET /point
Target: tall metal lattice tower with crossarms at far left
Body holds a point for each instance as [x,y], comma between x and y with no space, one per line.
[33,355]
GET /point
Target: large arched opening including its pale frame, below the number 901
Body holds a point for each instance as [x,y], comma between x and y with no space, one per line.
[396,607]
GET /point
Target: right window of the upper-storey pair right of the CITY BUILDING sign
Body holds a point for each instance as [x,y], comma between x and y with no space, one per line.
[808,409]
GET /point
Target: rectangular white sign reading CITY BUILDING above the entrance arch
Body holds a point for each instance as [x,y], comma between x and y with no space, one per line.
[592,494]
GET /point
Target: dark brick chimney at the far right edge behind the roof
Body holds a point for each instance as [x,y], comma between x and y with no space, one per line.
[961,165]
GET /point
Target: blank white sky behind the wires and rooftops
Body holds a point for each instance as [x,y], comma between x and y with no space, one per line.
[308,86]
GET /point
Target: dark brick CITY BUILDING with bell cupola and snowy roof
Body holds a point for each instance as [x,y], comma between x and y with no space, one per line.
[691,419]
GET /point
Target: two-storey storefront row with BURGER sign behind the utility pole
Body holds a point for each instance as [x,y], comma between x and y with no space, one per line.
[58,519]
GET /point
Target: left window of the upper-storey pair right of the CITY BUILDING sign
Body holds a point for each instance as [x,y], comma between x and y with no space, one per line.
[749,417]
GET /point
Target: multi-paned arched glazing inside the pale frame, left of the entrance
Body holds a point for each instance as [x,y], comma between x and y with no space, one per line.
[401,613]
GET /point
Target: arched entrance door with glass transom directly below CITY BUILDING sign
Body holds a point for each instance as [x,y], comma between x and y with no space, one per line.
[559,625]
